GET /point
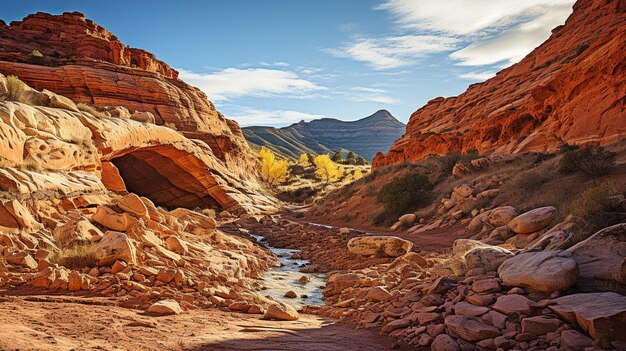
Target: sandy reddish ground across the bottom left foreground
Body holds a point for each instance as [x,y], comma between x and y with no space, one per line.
[74,323]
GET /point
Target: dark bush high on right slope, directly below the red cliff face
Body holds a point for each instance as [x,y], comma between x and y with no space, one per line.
[593,161]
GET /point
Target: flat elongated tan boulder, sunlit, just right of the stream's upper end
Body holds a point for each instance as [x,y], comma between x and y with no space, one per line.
[379,246]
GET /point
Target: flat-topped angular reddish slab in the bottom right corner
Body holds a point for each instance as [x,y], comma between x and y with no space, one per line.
[601,315]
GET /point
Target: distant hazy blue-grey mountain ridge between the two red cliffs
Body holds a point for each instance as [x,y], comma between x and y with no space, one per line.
[365,136]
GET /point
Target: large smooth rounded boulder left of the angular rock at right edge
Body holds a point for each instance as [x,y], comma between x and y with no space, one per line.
[543,271]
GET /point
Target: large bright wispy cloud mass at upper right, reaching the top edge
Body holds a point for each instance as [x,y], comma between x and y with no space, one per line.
[476,32]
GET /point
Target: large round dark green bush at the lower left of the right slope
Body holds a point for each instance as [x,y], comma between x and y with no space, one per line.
[405,194]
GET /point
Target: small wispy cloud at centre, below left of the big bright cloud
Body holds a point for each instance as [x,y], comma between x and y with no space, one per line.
[397,51]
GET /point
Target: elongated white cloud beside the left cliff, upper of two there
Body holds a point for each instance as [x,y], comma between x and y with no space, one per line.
[259,82]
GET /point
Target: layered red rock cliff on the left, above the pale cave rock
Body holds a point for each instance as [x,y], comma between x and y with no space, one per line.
[86,63]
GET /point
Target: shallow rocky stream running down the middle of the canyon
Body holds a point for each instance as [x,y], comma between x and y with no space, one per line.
[285,277]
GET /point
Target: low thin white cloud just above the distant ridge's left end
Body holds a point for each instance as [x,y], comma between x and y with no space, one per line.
[254,117]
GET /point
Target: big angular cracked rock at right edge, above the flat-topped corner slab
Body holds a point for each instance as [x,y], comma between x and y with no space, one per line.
[602,258]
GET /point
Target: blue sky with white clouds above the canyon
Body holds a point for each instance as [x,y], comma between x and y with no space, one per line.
[277,62]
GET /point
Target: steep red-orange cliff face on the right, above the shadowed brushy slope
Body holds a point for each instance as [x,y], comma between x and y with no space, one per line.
[569,89]
